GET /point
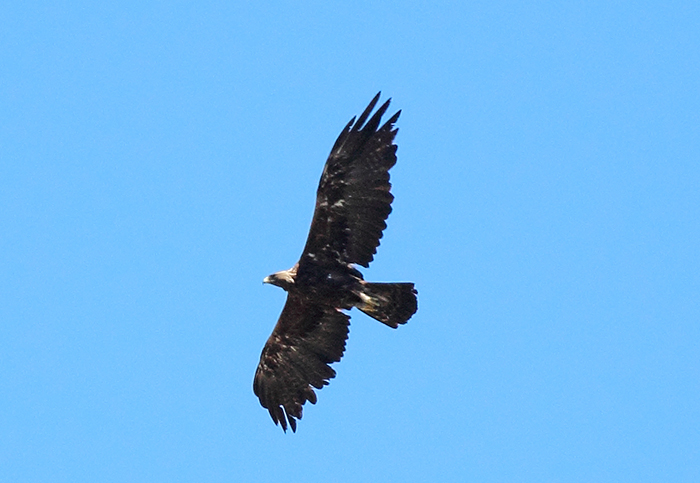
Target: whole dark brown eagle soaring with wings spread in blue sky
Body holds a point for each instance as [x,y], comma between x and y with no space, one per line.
[353,202]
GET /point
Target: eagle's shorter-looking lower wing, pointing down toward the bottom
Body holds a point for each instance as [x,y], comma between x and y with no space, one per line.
[307,338]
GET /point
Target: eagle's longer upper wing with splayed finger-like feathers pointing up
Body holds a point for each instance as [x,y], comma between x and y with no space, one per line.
[353,199]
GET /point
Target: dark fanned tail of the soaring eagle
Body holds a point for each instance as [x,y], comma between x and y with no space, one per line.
[390,303]
